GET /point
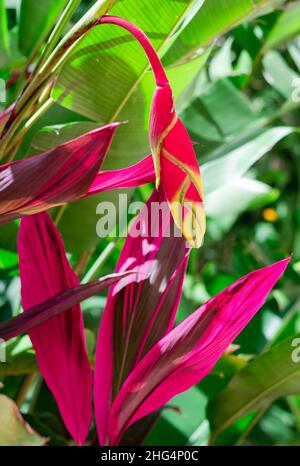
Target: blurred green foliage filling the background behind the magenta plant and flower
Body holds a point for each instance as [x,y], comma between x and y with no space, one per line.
[235,69]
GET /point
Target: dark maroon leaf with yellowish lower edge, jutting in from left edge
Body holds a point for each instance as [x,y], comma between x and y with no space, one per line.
[56,177]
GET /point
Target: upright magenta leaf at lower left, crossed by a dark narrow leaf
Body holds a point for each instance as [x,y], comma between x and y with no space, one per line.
[59,343]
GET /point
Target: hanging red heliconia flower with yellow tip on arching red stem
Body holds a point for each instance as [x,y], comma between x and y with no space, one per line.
[174,158]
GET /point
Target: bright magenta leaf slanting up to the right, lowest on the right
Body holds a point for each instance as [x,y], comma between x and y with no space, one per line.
[184,355]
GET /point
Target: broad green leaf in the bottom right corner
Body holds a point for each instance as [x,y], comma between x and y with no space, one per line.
[271,375]
